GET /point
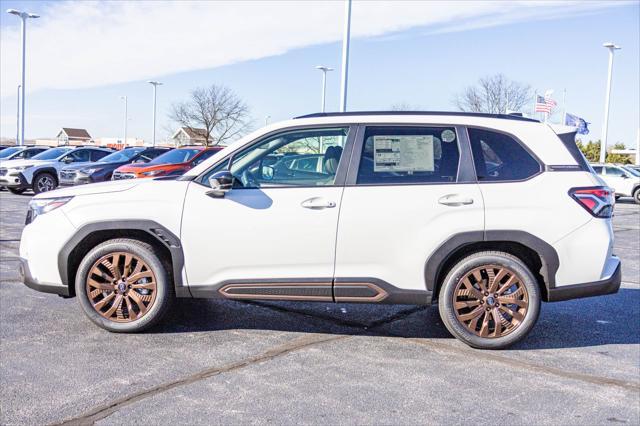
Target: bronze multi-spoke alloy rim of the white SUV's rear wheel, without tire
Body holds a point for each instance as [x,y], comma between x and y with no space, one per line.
[491,301]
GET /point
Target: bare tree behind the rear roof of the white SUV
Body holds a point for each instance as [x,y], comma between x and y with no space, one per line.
[495,95]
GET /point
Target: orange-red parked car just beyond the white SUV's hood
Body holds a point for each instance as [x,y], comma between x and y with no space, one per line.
[174,162]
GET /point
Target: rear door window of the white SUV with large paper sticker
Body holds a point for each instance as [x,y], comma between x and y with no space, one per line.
[405,155]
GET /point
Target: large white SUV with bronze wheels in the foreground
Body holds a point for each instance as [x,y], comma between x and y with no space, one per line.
[487,215]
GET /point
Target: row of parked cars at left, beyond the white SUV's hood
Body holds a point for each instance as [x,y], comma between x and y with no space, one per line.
[42,168]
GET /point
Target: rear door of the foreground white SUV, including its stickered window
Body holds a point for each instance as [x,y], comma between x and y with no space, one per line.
[409,189]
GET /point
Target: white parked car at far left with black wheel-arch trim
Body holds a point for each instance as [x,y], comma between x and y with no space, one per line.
[40,172]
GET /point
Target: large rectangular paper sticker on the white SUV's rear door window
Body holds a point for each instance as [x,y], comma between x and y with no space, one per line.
[403,153]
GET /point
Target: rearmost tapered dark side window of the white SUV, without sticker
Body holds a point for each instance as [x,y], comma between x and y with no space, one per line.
[499,157]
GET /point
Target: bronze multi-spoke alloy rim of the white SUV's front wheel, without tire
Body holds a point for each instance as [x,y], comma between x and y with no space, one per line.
[121,287]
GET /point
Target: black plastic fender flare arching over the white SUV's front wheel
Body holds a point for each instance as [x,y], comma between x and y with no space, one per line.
[153,229]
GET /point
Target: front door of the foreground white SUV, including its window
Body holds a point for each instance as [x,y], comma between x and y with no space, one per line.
[272,236]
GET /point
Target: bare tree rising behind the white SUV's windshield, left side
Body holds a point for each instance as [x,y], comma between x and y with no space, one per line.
[217,110]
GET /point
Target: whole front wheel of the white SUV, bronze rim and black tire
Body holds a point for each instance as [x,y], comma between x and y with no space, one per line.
[123,286]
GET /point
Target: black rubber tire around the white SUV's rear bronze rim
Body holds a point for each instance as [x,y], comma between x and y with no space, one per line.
[477,260]
